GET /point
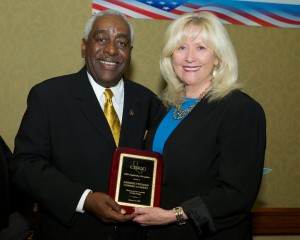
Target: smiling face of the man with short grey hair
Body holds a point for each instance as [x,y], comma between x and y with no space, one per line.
[108,51]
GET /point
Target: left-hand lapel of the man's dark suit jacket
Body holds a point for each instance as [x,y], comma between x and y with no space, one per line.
[90,107]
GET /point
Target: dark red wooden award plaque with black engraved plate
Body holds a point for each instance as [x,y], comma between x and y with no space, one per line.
[135,179]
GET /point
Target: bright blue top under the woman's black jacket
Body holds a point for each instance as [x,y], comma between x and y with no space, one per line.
[167,125]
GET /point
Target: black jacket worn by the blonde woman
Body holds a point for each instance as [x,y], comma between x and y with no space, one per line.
[213,164]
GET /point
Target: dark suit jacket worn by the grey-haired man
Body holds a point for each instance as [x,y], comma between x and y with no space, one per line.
[64,146]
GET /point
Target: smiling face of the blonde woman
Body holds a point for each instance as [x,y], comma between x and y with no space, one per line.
[193,63]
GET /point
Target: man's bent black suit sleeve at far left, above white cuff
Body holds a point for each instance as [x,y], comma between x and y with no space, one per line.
[31,165]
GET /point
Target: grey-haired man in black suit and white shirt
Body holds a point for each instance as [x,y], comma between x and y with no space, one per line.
[64,146]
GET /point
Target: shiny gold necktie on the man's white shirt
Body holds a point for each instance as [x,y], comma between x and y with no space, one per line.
[111,115]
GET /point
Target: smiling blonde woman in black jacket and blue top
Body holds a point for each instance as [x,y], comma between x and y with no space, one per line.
[212,137]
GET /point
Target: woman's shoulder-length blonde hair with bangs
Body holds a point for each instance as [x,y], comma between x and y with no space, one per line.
[215,37]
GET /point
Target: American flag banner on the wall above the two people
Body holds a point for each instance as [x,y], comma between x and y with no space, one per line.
[272,13]
